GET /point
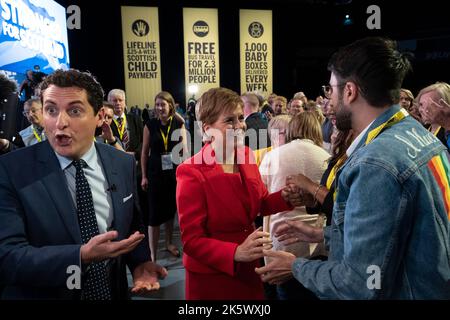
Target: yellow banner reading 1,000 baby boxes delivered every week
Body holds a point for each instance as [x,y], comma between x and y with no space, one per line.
[256,51]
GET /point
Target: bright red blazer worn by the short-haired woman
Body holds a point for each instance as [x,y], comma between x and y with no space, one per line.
[216,212]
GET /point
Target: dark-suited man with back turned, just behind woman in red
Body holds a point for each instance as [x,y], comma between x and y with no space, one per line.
[256,136]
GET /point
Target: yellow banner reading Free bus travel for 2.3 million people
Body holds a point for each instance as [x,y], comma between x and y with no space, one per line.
[201,51]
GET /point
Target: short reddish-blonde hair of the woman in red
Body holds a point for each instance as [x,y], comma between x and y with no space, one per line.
[216,101]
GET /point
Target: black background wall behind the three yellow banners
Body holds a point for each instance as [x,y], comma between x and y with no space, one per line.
[305,34]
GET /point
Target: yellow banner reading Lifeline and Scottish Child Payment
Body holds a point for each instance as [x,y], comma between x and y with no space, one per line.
[141,57]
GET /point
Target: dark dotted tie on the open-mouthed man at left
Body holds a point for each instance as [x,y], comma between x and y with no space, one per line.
[96,285]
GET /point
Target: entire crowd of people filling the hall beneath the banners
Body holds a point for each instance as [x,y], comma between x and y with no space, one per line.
[346,196]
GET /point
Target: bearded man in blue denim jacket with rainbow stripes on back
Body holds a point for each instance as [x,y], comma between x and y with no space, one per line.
[390,231]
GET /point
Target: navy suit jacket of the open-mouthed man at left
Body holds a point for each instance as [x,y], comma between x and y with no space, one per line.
[39,231]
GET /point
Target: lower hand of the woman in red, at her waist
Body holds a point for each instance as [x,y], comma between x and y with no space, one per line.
[252,248]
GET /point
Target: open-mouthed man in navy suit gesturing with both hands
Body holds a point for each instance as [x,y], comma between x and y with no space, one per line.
[67,206]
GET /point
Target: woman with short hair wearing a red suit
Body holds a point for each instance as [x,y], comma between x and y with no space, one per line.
[219,194]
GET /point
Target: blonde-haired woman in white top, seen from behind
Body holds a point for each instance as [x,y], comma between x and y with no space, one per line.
[302,154]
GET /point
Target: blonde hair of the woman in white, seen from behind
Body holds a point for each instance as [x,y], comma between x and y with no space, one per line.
[305,125]
